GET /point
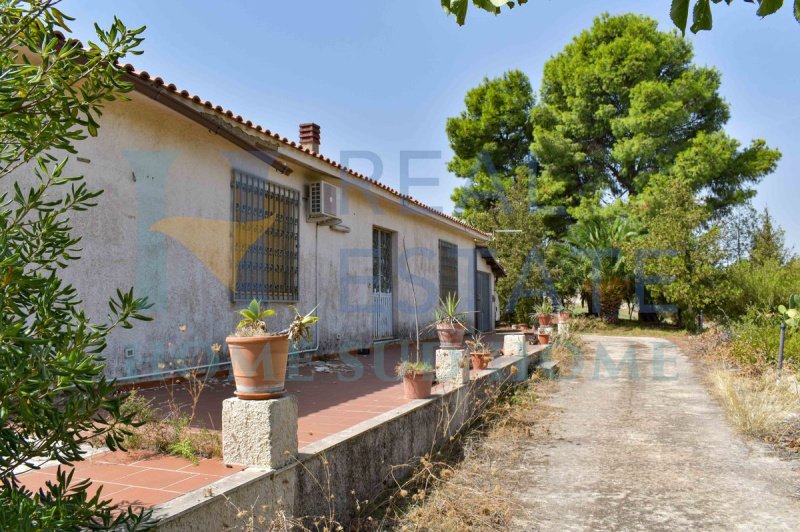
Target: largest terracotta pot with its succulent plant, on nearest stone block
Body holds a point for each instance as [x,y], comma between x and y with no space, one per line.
[259,357]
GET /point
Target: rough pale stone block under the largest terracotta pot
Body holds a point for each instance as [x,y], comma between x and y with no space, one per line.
[259,433]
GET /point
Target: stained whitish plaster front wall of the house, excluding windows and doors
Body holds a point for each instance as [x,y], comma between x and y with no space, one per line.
[163,226]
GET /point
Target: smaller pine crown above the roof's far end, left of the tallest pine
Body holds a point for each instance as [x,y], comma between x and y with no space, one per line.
[491,142]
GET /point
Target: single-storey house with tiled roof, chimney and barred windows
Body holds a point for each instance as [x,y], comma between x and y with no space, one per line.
[204,211]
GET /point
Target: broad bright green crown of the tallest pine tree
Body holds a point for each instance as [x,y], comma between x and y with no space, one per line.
[623,103]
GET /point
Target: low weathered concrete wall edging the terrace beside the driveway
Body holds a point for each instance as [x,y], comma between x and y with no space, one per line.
[329,475]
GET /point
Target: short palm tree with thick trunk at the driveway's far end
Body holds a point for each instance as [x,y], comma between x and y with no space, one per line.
[597,245]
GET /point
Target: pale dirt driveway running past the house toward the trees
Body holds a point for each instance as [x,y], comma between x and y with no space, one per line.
[640,445]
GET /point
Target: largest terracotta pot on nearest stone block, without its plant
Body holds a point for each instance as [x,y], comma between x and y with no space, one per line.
[259,365]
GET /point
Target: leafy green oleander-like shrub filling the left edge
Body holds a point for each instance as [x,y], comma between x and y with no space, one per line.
[54,397]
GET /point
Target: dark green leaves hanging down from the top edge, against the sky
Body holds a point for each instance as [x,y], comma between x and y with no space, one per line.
[701,13]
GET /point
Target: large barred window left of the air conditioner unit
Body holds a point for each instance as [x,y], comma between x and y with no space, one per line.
[266,230]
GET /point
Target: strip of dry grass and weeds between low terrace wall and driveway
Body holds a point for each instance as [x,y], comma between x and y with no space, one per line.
[472,486]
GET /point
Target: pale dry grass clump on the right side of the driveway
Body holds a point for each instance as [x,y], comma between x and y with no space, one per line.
[757,406]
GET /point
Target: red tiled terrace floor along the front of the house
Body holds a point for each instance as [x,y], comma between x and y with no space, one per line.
[328,403]
